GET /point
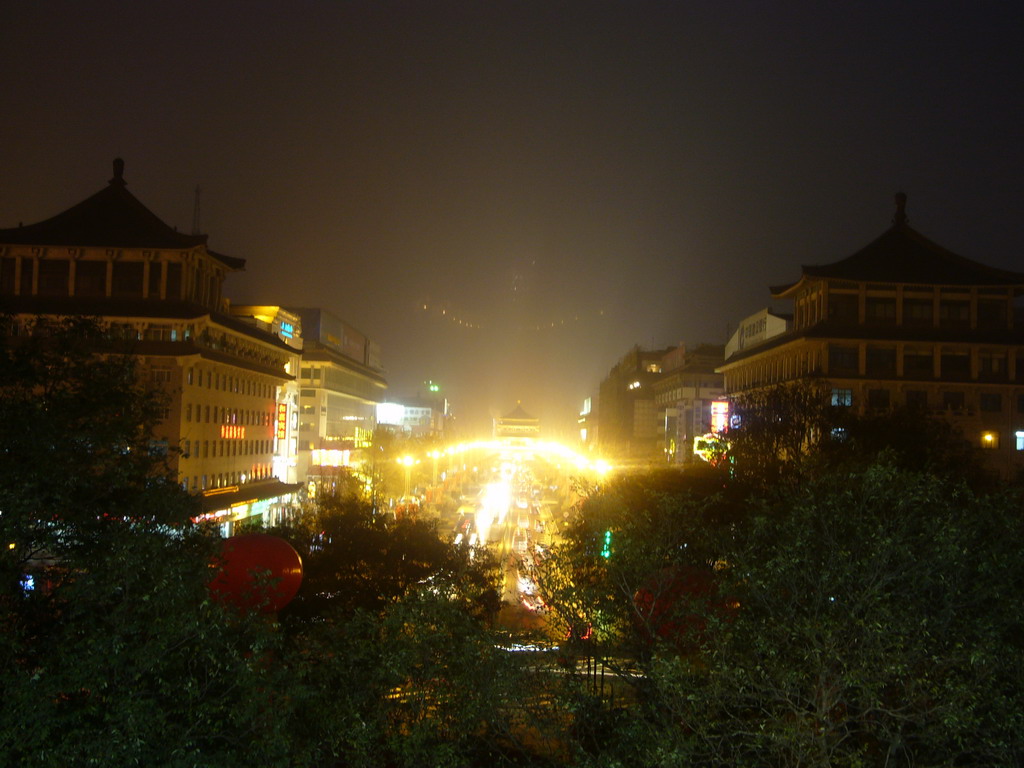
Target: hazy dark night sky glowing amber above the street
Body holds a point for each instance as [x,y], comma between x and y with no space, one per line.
[567,180]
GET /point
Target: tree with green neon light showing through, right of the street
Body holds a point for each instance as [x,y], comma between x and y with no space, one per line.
[636,559]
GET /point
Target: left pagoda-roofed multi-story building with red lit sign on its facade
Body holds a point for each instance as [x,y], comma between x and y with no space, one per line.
[113,259]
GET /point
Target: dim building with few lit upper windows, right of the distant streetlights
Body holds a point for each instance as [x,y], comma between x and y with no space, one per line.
[627,414]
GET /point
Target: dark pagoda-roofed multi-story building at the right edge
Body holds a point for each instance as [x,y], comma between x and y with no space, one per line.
[905,322]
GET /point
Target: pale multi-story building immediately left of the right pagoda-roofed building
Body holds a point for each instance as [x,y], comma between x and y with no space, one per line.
[685,396]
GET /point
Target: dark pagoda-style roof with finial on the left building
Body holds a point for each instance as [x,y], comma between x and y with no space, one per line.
[111,219]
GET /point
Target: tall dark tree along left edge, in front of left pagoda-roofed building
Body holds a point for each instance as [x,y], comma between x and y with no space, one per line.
[115,656]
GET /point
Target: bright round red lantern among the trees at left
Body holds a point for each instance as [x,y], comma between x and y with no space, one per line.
[258,571]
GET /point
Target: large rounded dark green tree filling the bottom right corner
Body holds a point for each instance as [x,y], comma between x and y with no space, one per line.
[876,626]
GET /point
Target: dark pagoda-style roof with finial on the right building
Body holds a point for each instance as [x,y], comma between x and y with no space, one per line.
[904,255]
